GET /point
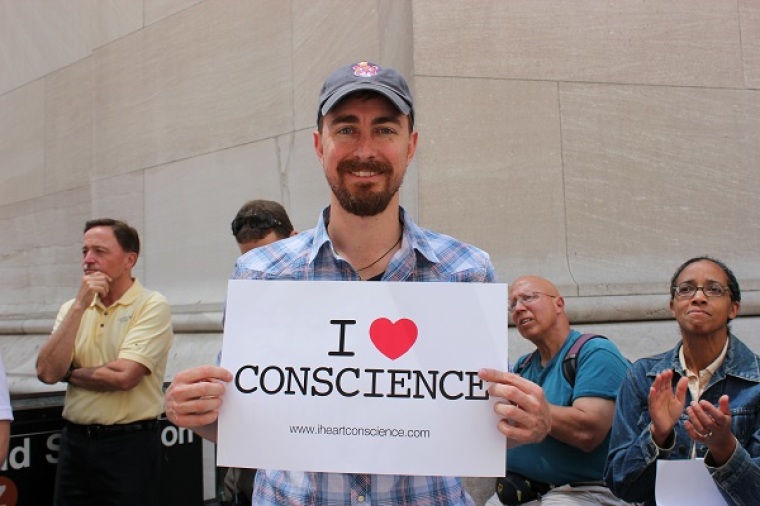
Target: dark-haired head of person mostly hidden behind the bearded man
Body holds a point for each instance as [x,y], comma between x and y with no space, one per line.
[260,222]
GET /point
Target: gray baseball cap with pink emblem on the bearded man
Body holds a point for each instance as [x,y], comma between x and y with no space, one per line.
[365,76]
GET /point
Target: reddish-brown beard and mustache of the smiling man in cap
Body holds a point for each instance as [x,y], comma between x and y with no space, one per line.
[365,202]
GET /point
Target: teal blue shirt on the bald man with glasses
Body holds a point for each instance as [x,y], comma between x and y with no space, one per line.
[600,372]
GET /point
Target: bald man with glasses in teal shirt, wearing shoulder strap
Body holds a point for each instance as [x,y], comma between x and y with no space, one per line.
[562,460]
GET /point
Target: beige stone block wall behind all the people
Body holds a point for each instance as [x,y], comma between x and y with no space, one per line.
[597,143]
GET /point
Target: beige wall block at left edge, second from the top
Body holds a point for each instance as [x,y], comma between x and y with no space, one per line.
[22,157]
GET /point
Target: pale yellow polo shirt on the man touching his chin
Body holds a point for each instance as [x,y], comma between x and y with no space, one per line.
[136,327]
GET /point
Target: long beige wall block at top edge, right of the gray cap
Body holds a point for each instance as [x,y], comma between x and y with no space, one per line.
[679,42]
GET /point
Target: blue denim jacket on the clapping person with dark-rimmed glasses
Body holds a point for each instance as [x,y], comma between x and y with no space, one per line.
[632,460]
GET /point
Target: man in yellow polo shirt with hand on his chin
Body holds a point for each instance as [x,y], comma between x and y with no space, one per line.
[110,345]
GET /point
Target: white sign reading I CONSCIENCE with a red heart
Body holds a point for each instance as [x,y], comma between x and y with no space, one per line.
[363,377]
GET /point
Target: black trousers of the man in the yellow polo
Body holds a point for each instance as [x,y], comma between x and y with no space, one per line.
[121,469]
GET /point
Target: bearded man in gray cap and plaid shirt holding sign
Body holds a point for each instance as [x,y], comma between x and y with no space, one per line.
[365,141]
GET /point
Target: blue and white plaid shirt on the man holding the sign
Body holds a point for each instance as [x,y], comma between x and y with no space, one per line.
[424,256]
